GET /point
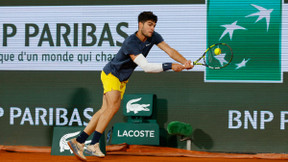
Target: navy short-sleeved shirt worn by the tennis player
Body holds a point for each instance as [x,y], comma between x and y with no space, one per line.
[122,66]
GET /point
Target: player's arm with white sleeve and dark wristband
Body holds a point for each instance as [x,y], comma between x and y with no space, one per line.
[141,61]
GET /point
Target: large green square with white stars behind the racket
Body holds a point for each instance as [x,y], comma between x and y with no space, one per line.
[253,30]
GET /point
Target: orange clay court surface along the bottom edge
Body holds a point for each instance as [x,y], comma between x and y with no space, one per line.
[139,153]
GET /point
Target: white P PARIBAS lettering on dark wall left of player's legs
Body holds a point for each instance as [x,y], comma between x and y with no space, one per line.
[40,116]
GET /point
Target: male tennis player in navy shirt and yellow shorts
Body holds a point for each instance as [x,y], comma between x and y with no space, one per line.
[115,76]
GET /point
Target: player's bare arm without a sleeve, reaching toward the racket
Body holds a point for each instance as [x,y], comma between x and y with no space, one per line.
[175,55]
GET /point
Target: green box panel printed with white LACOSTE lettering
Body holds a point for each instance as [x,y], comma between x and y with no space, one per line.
[138,134]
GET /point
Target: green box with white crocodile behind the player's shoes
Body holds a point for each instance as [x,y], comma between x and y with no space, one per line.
[61,135]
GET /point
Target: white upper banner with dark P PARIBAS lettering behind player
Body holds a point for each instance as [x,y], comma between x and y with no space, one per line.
[87,37]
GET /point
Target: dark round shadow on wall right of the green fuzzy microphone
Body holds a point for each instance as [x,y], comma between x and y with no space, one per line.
[202,140]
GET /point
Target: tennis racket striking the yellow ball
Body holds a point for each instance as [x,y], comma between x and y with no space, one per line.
[217,56]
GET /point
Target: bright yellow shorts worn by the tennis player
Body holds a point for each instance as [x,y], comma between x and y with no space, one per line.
[110,83]
